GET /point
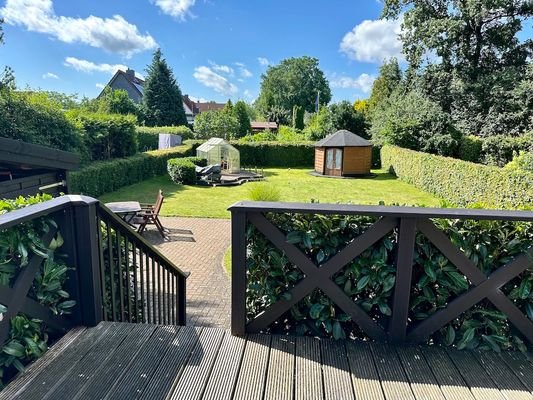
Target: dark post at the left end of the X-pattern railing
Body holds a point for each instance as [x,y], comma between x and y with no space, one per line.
[238,272]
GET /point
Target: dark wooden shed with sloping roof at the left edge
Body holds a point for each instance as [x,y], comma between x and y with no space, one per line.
[28,169]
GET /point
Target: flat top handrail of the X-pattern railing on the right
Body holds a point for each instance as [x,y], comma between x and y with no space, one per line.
[386,211]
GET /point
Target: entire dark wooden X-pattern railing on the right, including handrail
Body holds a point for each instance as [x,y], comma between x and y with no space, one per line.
[406,222]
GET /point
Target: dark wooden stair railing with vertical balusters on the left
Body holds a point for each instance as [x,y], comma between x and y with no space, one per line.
[115,275]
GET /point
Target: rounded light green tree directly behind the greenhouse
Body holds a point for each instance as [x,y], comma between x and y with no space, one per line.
[216,123]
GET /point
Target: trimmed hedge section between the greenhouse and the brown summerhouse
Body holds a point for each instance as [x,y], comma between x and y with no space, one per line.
[275,154]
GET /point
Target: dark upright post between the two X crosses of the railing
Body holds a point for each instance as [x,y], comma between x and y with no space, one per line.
[402,289]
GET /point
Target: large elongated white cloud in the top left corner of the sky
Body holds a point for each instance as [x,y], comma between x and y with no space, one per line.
[115,34]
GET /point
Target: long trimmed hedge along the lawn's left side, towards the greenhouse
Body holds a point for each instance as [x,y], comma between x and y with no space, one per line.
[108,176]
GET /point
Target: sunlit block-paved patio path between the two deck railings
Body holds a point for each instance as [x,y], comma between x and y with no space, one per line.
[197,246]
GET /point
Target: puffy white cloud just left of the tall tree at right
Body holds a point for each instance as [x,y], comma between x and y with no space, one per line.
[373,41]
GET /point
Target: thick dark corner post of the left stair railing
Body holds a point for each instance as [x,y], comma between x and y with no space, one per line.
[88,262]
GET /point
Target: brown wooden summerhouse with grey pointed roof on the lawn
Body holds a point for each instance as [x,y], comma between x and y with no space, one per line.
[343,153]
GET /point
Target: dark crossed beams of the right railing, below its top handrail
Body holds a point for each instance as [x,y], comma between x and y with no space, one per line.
[399,329]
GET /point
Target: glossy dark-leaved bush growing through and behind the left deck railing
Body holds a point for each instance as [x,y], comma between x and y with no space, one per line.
[28,337]
